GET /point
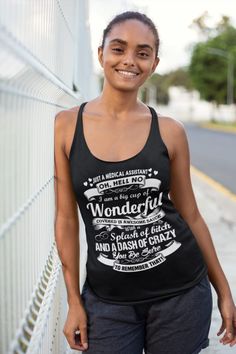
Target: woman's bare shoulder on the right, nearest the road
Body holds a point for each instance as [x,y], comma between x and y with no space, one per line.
[172,133]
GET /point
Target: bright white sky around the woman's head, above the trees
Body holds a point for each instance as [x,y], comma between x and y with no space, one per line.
[172,19]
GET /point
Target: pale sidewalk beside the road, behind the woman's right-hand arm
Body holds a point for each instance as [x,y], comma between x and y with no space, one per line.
[219,212]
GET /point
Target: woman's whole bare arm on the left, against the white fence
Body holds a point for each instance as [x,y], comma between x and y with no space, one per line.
[67,236]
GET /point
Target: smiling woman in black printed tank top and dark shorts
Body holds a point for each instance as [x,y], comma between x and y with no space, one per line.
[150,254]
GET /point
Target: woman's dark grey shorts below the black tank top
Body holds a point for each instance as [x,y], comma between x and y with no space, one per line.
[177,325]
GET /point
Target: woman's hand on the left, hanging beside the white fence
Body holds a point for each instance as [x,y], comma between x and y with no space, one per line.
[76,321]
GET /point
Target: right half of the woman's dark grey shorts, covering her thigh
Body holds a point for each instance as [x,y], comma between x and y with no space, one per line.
[180,324]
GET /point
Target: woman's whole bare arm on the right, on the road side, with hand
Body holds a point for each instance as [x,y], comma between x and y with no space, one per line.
[182,196]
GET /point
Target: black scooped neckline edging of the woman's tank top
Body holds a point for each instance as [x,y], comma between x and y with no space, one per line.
[80,113]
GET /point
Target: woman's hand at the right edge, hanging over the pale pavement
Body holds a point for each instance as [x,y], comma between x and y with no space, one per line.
[228,313]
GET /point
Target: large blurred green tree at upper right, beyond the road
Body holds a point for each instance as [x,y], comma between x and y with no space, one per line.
[208,70]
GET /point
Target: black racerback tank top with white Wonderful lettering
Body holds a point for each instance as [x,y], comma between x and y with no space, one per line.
[139,247]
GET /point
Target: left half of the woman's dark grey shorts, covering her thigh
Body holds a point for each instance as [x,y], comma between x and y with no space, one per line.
[112,328]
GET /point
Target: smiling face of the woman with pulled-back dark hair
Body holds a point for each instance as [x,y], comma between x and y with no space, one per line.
[128,56]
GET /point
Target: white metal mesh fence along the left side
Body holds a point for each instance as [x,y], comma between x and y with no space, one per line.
[41,72]
